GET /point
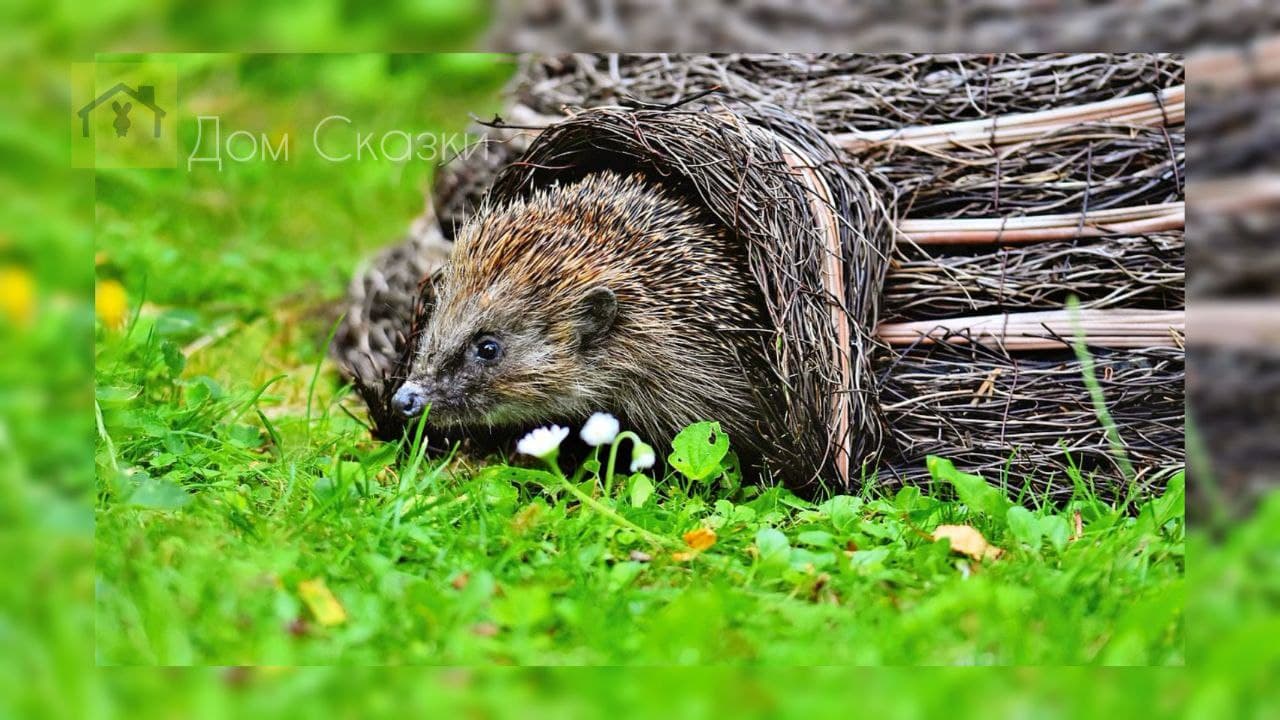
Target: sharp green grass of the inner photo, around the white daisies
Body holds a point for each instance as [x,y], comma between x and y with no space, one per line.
[230,472]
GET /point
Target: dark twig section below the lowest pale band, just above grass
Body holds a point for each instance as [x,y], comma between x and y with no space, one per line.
[1028,421]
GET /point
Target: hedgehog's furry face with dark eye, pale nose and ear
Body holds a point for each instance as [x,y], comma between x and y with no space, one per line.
[484,361]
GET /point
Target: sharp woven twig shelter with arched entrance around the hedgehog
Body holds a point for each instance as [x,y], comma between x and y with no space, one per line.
[1014,183]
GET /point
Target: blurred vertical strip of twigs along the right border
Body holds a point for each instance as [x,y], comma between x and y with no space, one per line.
[1235,357]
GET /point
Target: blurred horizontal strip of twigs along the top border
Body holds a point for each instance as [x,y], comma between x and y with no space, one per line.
[876,26]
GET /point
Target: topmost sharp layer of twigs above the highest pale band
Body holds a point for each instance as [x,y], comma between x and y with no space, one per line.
[851,93]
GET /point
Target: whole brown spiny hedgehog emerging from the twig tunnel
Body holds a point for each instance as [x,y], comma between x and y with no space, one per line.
[607,294]
